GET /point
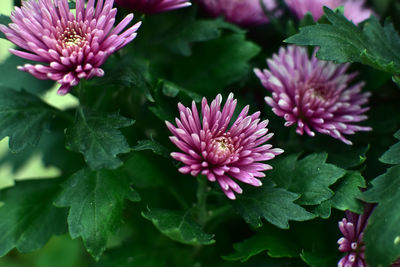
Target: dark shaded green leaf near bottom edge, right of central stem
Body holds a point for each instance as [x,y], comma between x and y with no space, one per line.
[277,245]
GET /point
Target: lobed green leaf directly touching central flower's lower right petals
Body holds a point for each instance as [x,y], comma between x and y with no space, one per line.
[273,204]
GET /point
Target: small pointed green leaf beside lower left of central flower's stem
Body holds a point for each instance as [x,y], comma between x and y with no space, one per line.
[178,226]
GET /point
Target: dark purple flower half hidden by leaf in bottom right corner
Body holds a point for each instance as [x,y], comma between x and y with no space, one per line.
[352,242]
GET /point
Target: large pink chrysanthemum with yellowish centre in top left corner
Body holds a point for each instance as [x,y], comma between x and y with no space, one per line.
[72,47]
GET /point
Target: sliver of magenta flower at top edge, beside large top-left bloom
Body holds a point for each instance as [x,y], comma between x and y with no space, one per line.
[152,6]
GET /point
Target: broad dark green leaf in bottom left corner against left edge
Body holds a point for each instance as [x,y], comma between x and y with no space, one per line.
[27,216]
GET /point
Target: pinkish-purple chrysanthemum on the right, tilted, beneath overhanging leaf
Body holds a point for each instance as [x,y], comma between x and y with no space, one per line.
[314,94]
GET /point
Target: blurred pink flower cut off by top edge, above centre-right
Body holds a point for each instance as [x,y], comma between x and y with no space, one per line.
[244,13]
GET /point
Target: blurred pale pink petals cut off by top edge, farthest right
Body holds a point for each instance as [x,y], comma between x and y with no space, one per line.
[354,10]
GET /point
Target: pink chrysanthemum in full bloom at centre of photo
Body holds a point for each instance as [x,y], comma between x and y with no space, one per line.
[222,153]
